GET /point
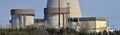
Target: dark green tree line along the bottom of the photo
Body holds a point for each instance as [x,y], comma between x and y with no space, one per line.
[62,31]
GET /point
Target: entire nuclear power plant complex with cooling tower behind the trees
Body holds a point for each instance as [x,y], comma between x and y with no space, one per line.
[59,14]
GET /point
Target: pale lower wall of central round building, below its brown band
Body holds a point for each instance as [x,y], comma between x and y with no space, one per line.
[52,20]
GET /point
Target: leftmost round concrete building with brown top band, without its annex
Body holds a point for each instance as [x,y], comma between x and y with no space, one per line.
[22,17]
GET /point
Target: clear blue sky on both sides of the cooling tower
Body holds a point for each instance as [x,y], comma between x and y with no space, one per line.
[89,8]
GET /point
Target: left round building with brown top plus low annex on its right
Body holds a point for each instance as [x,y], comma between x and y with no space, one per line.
[20,18]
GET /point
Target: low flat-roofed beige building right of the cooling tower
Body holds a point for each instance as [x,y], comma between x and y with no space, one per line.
[90,24]
